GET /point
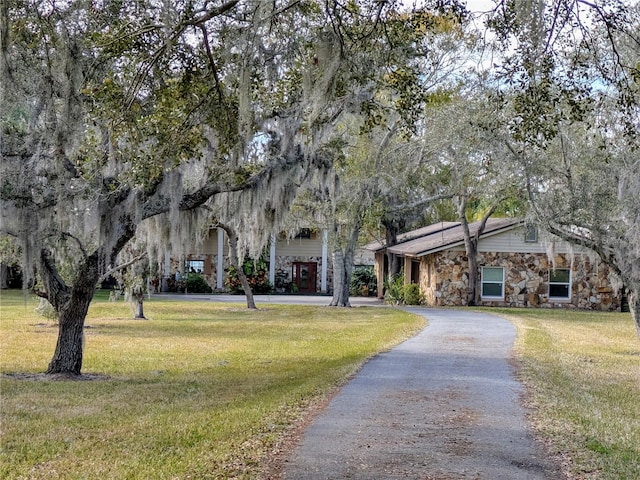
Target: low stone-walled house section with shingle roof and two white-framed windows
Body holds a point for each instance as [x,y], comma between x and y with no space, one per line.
[517,267]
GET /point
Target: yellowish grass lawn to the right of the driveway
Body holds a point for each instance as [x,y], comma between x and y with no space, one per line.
[582,372]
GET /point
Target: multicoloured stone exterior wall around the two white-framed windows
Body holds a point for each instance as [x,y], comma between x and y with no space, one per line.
[444,280]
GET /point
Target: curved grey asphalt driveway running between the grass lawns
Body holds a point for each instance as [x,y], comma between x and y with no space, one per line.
[443,405]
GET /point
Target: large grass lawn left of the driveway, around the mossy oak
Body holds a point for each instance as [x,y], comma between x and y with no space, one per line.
[201,390]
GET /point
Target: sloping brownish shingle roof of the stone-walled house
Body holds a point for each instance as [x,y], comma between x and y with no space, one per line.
[441,236]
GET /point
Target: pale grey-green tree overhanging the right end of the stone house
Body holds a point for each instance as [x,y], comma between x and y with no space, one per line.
[584,187]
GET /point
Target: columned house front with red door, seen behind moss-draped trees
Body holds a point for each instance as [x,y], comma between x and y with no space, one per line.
[298,264]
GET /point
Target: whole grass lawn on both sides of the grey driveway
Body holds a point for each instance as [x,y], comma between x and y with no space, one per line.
[206,390]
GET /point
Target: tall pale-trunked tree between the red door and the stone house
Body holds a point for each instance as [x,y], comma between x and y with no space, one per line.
[374,164]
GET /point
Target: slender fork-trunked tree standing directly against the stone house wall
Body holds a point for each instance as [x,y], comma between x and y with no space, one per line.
[474,164]
